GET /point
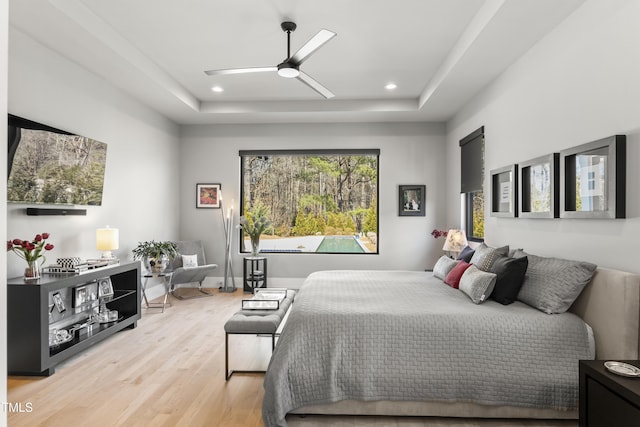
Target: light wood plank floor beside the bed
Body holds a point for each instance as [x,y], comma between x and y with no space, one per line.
[169,371]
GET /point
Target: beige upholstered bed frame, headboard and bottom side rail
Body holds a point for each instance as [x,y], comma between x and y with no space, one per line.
[610,304]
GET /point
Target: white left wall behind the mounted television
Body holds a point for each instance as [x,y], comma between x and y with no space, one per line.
[141,177]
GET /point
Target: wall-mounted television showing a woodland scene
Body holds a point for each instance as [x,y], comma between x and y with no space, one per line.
[52,166]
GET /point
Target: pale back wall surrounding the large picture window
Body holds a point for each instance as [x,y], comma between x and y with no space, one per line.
[410,153]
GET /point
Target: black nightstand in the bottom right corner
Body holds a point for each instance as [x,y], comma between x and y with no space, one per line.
[607,399]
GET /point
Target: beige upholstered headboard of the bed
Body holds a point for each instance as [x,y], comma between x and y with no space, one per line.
[610,304]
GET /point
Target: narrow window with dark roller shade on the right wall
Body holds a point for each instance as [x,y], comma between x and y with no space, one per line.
[472,183]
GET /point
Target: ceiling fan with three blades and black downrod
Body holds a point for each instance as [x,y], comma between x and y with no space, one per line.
[290,67]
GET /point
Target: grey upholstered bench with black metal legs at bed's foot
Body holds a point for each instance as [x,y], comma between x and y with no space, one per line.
[255,322]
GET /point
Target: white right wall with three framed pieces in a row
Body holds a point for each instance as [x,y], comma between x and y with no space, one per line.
[577,85]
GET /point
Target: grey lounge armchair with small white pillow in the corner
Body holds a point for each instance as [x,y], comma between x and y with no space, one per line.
[182,273]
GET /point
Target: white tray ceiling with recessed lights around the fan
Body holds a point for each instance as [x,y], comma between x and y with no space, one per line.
[438,52]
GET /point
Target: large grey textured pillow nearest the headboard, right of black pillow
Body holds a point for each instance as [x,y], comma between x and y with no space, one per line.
[553,284]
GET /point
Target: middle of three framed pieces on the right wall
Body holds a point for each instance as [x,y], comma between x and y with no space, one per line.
[539,184]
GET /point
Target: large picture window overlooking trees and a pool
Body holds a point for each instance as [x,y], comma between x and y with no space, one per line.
[317,201]
